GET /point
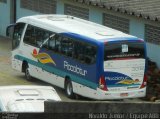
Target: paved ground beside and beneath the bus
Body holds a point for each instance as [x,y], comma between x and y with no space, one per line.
[9,76]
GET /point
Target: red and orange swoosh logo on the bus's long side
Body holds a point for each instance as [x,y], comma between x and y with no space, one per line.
[44,58]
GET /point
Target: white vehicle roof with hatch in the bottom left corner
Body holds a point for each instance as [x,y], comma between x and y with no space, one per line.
[26,98]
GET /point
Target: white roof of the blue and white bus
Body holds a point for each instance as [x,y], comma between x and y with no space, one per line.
[73,25]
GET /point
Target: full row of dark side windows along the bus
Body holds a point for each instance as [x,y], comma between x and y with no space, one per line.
[81,51]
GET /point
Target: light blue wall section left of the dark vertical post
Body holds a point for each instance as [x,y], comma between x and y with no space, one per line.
[4,16]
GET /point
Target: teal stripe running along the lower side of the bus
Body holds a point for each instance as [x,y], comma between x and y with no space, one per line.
[58,72]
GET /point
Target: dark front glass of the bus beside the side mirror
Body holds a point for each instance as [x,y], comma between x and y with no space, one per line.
[18,30]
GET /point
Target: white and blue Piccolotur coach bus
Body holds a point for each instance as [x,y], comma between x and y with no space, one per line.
[83,57]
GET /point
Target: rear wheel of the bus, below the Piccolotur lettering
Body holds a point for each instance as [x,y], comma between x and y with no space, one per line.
[69,89]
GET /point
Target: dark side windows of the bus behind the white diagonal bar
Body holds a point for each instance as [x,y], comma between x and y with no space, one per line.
[81,51]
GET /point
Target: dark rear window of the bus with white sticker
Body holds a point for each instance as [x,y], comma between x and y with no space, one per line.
[124,50]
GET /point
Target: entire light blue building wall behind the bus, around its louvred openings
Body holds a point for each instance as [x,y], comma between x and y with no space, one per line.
[136,25]
